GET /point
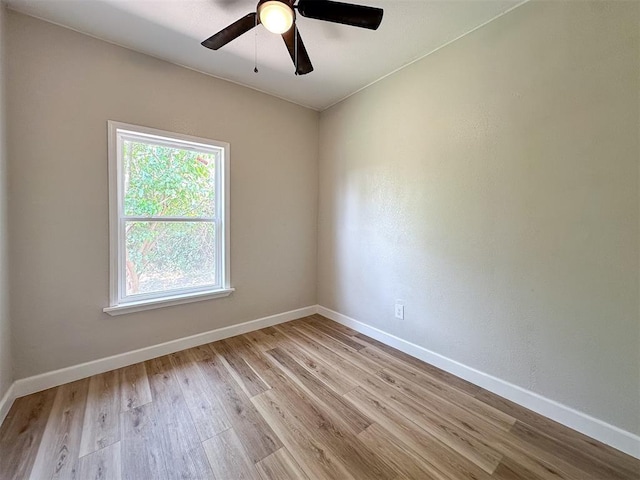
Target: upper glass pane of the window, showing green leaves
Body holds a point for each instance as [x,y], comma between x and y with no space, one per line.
[167,181]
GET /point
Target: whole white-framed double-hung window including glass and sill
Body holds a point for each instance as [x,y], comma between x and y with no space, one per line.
[169,213]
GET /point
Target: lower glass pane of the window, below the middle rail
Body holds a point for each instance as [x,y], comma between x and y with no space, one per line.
[164,256]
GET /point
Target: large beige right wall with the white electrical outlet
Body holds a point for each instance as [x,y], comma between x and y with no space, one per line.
[493,187]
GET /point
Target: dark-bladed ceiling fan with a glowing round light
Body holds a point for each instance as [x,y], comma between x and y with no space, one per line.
[278,16]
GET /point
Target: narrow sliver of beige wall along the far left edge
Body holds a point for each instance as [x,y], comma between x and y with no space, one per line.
[6,366]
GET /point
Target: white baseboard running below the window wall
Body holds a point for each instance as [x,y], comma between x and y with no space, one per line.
[37,383]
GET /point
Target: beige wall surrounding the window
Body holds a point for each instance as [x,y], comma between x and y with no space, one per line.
[62,90]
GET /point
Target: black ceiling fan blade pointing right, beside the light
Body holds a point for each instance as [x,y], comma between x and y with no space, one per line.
[345,13]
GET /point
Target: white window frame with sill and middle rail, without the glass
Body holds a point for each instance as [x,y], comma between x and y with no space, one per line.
[120,302]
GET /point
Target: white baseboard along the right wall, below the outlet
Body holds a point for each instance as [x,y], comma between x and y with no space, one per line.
[611,435]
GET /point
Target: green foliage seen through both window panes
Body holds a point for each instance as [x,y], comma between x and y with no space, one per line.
[164,181]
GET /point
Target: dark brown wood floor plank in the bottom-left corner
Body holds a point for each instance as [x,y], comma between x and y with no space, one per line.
[21,433]
